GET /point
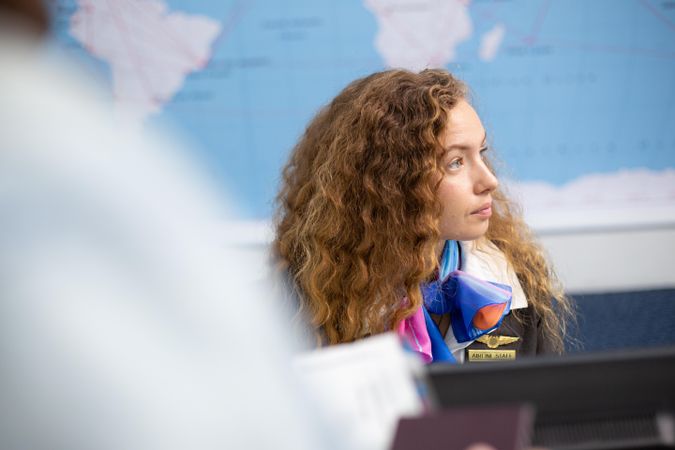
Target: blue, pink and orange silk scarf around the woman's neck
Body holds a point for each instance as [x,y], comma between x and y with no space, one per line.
[476,307]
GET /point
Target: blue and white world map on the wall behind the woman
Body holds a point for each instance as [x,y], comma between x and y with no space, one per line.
[578,97]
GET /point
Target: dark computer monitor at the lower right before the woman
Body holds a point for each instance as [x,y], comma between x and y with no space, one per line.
[581,401]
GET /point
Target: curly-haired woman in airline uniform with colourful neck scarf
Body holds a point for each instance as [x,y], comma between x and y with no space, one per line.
[387,194]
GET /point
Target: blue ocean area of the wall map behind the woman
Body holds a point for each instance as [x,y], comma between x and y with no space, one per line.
[573,88]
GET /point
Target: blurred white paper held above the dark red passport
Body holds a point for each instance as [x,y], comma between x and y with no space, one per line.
[363,387]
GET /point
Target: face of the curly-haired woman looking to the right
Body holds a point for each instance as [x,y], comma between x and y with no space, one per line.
[465,191]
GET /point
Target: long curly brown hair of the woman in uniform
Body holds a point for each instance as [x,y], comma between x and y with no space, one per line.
[358,216]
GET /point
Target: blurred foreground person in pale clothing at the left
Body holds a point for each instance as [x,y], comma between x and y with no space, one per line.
[126,322]
